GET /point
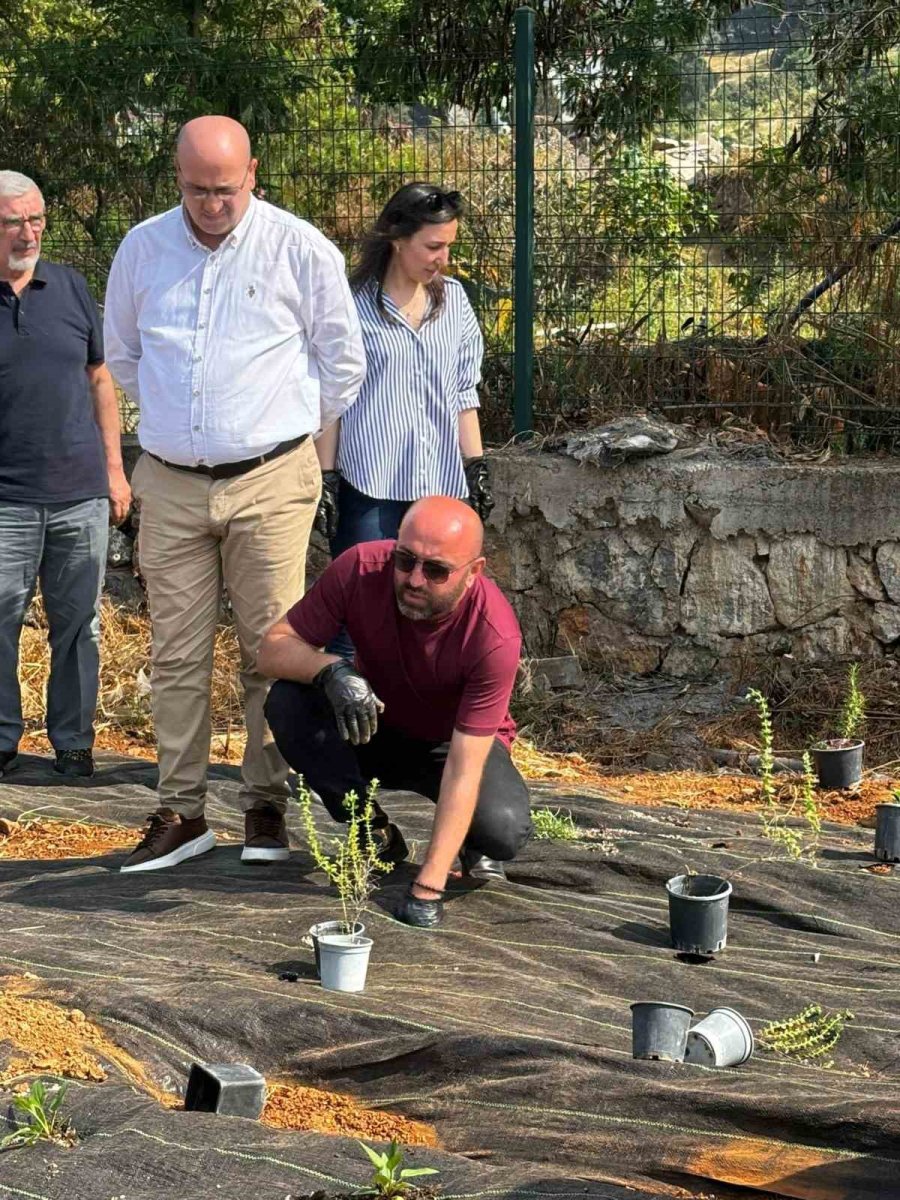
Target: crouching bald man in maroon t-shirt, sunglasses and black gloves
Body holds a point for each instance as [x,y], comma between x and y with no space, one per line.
[425,707]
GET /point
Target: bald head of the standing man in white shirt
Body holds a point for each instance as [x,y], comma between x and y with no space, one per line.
[217,173]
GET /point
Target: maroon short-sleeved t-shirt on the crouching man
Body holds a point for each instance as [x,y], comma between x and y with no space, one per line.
[434,676]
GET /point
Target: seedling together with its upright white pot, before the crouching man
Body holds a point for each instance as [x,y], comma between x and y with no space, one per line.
[353,867]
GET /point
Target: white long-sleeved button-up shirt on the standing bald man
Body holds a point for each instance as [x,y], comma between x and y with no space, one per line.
[230,352]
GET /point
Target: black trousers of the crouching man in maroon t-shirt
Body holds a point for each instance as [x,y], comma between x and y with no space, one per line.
[304,728]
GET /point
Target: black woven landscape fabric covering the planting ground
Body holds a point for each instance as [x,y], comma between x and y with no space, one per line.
[508,1029]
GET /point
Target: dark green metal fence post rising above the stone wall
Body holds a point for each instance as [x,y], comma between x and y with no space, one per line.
[524,261]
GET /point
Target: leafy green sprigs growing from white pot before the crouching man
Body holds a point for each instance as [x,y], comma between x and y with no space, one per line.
[353,865]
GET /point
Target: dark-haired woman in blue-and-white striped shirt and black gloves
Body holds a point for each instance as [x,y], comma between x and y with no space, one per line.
[415,429]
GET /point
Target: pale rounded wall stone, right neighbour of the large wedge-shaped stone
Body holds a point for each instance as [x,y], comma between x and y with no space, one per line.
[808,580]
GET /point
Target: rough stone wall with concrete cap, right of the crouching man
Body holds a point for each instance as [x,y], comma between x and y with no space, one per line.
[693,561]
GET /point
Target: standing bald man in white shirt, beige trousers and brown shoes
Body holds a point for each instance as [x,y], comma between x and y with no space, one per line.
[231,326]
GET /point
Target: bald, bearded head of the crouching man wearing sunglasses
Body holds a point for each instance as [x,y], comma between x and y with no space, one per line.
[439,532]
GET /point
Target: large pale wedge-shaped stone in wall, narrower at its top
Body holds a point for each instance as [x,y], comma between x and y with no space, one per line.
[725,592]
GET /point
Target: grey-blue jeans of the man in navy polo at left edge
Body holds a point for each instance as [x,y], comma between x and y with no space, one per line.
[65,548]
